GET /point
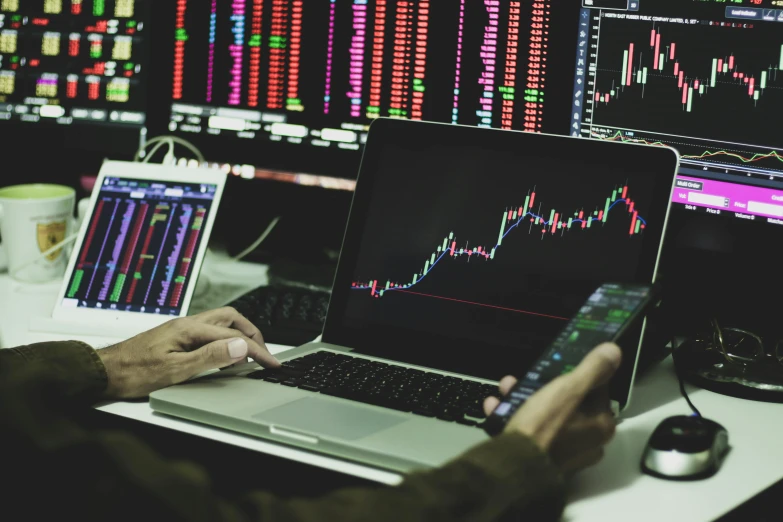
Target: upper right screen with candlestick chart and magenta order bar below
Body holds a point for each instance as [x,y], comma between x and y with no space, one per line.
[705,77]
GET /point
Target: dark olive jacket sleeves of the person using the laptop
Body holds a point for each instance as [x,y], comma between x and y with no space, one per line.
[112,476]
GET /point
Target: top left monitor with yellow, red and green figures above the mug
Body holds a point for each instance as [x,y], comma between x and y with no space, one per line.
[74,61]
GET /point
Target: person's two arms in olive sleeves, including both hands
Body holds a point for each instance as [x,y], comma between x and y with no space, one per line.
[58,467]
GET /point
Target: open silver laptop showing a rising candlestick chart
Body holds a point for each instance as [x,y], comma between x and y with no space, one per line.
[466,252]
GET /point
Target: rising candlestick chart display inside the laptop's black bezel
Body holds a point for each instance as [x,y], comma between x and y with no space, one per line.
[445,247]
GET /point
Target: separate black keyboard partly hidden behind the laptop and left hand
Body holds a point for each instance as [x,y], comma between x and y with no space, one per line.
[285,315]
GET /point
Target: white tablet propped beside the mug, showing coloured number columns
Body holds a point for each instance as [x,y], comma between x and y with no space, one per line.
[139,250]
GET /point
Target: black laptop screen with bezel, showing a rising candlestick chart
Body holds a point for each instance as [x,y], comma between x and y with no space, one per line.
[475,237]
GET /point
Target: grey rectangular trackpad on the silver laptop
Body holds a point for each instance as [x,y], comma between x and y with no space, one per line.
[330,418]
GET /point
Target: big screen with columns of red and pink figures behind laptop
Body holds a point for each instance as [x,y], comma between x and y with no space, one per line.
[294,85]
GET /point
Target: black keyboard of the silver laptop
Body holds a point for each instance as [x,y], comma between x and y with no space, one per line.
[424,393]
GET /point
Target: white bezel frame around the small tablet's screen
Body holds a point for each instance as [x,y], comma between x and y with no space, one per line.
[139,321]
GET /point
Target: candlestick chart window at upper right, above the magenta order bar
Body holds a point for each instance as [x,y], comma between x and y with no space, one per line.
[701,76]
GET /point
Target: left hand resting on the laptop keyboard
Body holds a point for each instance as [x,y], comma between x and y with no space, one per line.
[181,349]
